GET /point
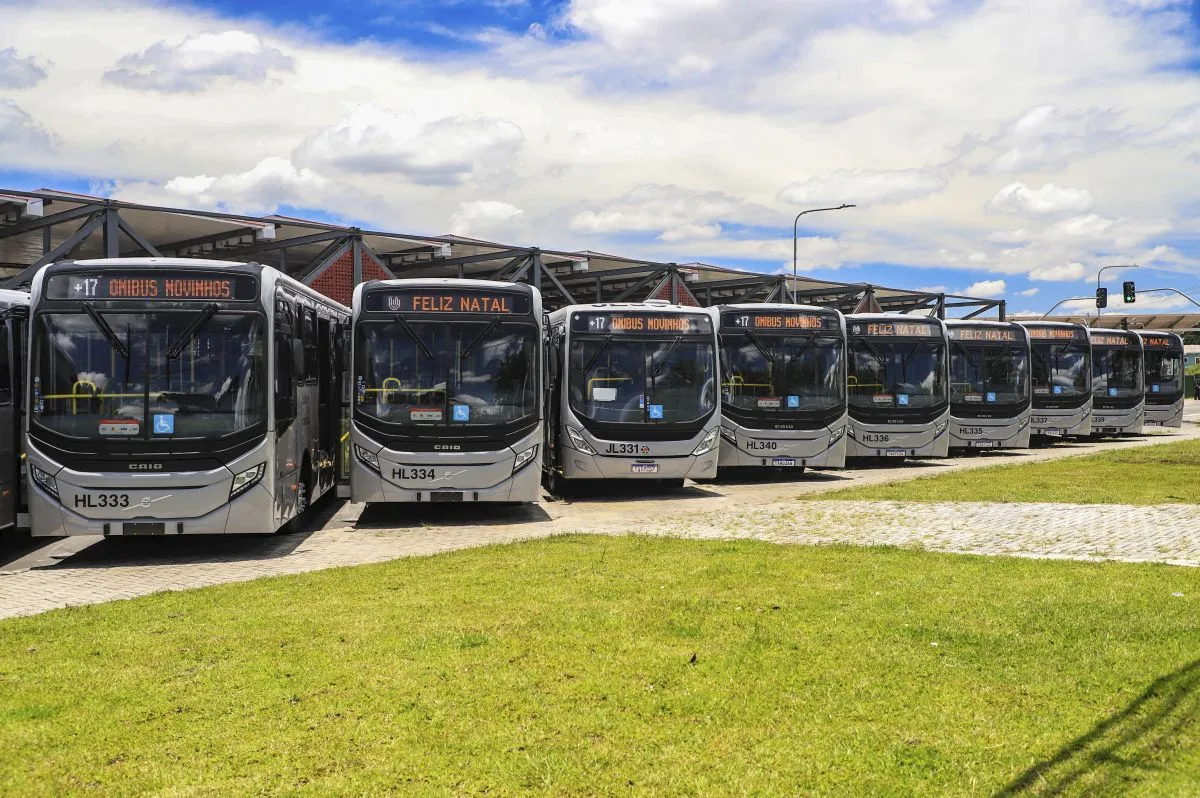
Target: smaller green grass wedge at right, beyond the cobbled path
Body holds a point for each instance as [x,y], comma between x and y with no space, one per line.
[1162,475]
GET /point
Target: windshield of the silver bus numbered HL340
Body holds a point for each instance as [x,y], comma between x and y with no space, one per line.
[782,375]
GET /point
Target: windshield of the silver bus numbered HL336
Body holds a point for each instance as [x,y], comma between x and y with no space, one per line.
[886,374]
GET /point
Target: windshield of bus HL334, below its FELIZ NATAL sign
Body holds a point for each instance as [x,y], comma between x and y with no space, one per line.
[446,374]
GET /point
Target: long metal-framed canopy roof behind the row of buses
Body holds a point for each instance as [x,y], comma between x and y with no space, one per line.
[46,226]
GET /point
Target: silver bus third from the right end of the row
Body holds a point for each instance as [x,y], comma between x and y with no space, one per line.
[1061,359]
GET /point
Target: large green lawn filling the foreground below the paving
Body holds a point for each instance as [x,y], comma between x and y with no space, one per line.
[598,665]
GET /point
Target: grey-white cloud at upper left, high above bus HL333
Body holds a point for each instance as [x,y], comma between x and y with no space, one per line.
[199,62]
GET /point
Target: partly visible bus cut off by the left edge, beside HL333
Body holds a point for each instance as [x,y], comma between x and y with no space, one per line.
[14,320]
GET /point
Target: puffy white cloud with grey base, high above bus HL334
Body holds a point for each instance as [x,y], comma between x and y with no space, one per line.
[443,152]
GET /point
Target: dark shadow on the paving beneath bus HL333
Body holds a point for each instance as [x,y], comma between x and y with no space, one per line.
[187,550]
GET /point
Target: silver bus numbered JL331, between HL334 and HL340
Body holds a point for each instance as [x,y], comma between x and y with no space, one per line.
[633,394]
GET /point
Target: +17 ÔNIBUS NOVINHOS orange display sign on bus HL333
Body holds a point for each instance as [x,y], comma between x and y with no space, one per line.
[182,286]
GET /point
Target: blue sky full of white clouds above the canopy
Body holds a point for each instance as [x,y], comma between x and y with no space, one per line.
[995,148]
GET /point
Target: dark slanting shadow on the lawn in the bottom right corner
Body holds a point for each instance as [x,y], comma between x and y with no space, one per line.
[1123,748]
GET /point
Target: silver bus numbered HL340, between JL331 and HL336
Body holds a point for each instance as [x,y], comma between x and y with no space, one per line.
[783,386]
